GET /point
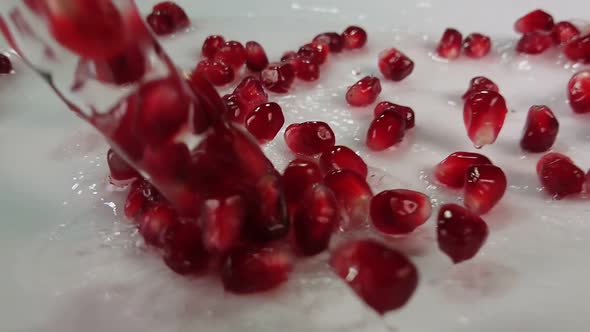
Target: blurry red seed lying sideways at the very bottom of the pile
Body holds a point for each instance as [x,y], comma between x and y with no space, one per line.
[254,270]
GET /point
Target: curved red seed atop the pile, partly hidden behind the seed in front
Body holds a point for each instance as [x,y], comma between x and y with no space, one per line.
[341,157]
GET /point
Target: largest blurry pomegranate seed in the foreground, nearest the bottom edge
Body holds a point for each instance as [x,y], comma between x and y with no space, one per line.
[382,277]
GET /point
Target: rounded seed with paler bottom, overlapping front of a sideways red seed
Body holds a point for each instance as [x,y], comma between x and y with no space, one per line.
[484,187]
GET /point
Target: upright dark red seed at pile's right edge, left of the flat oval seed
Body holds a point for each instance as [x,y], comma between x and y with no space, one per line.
[316,218]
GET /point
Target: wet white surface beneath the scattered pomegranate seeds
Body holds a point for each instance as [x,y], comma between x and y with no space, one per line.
[69,264]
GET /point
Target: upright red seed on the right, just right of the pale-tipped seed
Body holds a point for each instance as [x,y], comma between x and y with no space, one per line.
[540,129]
